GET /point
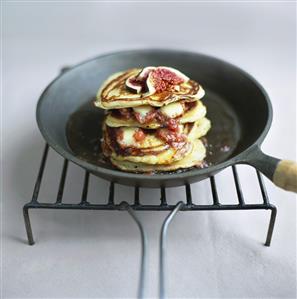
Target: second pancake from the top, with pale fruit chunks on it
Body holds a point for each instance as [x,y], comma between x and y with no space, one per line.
[196,111]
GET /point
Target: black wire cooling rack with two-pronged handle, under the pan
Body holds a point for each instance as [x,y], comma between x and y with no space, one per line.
[163,206]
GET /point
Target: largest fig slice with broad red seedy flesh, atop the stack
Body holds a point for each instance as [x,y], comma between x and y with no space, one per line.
[163,78]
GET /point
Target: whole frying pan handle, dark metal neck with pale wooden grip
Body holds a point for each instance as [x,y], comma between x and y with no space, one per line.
[283,173]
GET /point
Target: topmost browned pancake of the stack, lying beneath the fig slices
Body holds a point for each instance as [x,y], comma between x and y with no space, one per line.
[114,93]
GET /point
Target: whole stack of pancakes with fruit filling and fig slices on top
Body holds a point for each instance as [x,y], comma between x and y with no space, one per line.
[154,120]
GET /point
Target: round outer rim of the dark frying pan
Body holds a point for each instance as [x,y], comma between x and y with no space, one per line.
[156,177]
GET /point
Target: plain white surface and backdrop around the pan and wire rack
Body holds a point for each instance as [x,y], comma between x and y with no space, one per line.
[96,254]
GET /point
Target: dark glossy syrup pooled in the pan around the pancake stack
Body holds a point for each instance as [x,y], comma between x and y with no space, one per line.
[84,133]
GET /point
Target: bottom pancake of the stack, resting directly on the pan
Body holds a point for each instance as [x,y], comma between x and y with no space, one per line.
[194,158]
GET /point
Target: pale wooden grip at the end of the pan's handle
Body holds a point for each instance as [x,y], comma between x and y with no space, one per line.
[285,175]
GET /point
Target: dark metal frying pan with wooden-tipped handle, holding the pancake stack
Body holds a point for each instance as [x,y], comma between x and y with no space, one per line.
[238,107]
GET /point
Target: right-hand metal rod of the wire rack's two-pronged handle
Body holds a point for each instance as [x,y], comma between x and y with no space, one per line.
[163,247]
